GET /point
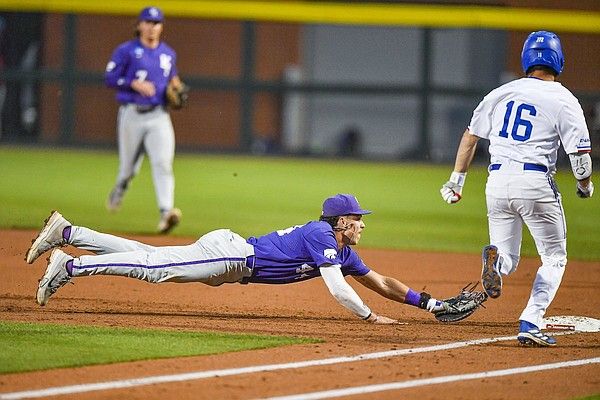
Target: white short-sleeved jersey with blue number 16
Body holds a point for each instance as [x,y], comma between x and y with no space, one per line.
[525,120]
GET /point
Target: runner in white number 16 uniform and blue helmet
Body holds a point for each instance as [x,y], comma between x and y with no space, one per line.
[525,121]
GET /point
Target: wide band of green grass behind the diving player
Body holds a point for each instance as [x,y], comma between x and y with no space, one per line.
[255,195]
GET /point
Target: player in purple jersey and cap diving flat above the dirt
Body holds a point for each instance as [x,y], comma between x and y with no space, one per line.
[317,248]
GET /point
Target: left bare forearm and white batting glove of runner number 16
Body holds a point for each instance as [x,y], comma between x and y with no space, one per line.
[451,191]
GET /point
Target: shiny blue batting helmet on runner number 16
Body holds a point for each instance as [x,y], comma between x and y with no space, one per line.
[542,48]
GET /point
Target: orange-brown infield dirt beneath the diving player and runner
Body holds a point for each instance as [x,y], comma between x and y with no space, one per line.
[307,309]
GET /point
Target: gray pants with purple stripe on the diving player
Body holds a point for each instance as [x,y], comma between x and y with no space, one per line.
[218,257]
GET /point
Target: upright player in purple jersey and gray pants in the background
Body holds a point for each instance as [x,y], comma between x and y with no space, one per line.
[140,70]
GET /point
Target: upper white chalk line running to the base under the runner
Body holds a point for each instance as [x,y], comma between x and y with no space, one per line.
[152,380]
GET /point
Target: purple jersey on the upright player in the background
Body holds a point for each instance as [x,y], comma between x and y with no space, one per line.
[130,61]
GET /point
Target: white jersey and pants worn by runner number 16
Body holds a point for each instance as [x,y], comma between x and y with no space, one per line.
[525,121]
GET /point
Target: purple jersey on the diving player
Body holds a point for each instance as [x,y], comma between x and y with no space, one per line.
[295,254]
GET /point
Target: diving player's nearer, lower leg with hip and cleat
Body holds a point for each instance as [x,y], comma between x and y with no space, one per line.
[218,257]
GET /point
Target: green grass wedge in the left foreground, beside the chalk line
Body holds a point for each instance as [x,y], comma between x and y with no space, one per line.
[29,347]
